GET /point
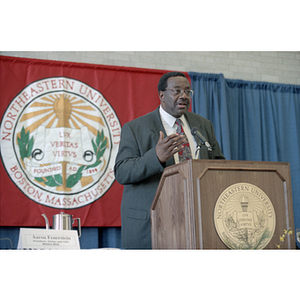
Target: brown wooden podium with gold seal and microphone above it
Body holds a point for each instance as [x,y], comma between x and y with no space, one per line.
[219,204]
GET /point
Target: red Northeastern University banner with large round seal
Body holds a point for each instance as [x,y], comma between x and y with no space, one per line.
[60,131]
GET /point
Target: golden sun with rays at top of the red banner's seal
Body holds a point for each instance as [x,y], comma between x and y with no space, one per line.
[61,110]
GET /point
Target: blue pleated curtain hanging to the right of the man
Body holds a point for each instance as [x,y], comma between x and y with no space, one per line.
[255,121]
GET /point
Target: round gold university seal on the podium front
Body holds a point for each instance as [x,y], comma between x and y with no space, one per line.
[244,217]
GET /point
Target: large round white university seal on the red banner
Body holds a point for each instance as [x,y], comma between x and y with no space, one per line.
[59,140]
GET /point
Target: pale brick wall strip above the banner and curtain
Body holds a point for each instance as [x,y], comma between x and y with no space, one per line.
[279,67]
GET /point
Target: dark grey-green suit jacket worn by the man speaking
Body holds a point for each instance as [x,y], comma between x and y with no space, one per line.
[139,170]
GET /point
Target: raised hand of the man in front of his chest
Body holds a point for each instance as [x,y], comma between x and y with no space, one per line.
[168,146]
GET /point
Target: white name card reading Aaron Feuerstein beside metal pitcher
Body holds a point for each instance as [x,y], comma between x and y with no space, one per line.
[48,239]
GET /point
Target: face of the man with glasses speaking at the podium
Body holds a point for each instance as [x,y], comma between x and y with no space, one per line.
[172,104]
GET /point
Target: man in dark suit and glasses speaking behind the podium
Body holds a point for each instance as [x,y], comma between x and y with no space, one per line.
[148,145]
